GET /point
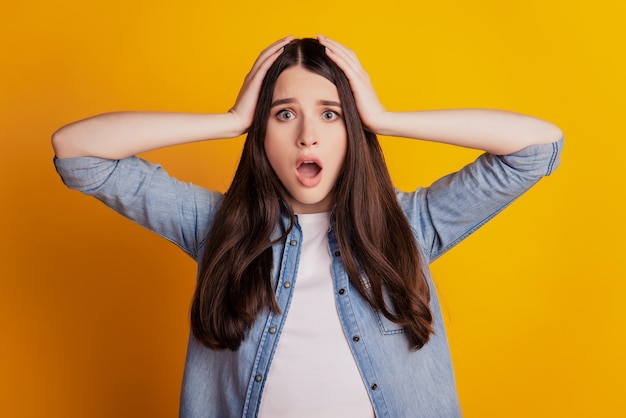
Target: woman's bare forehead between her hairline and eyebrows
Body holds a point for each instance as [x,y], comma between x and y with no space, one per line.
[300,83]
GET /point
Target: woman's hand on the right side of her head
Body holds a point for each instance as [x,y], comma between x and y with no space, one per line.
[370,109]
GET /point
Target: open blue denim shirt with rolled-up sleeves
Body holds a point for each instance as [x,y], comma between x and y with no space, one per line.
[400,382]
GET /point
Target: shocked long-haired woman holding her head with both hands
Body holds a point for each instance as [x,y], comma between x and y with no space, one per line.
[313,295]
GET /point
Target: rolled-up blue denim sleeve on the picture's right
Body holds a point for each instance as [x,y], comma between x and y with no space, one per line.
[456,205]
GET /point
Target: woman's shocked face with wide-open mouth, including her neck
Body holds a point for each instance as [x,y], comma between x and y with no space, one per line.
[306,138]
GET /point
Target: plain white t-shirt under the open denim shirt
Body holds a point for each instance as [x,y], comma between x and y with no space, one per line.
[313,373]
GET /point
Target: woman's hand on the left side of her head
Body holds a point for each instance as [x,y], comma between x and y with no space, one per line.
[247,98]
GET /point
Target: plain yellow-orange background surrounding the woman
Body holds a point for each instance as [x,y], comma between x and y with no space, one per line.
[93,309]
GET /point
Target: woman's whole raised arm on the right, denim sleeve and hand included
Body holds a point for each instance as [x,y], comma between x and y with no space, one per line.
[520,150]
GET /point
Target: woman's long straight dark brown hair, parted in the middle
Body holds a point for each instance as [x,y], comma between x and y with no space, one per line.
[374,236]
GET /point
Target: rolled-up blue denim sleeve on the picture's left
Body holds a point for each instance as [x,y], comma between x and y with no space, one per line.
[145,193]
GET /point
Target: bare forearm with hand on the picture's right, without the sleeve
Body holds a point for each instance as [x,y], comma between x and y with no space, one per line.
[497,132]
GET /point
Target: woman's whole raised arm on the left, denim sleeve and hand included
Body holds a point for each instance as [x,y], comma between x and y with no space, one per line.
[143,192]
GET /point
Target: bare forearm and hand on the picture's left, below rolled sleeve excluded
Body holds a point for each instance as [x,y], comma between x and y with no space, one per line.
[122,134]
